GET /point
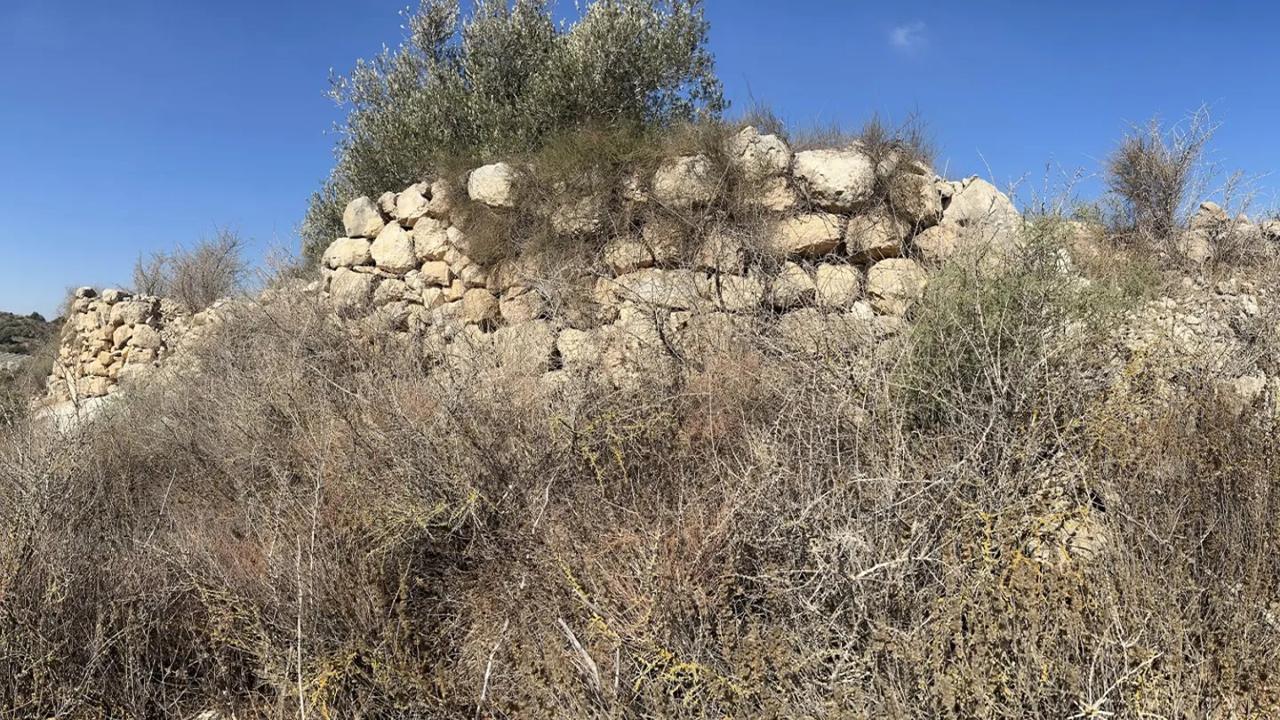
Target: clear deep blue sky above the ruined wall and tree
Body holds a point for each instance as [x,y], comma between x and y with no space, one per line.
[130,126]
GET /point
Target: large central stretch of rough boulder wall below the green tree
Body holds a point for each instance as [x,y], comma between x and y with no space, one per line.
[840,239]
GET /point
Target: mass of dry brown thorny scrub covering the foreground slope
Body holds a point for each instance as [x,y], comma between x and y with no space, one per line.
[961,522]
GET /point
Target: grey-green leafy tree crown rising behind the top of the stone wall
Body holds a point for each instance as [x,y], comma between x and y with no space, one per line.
[504,80]
